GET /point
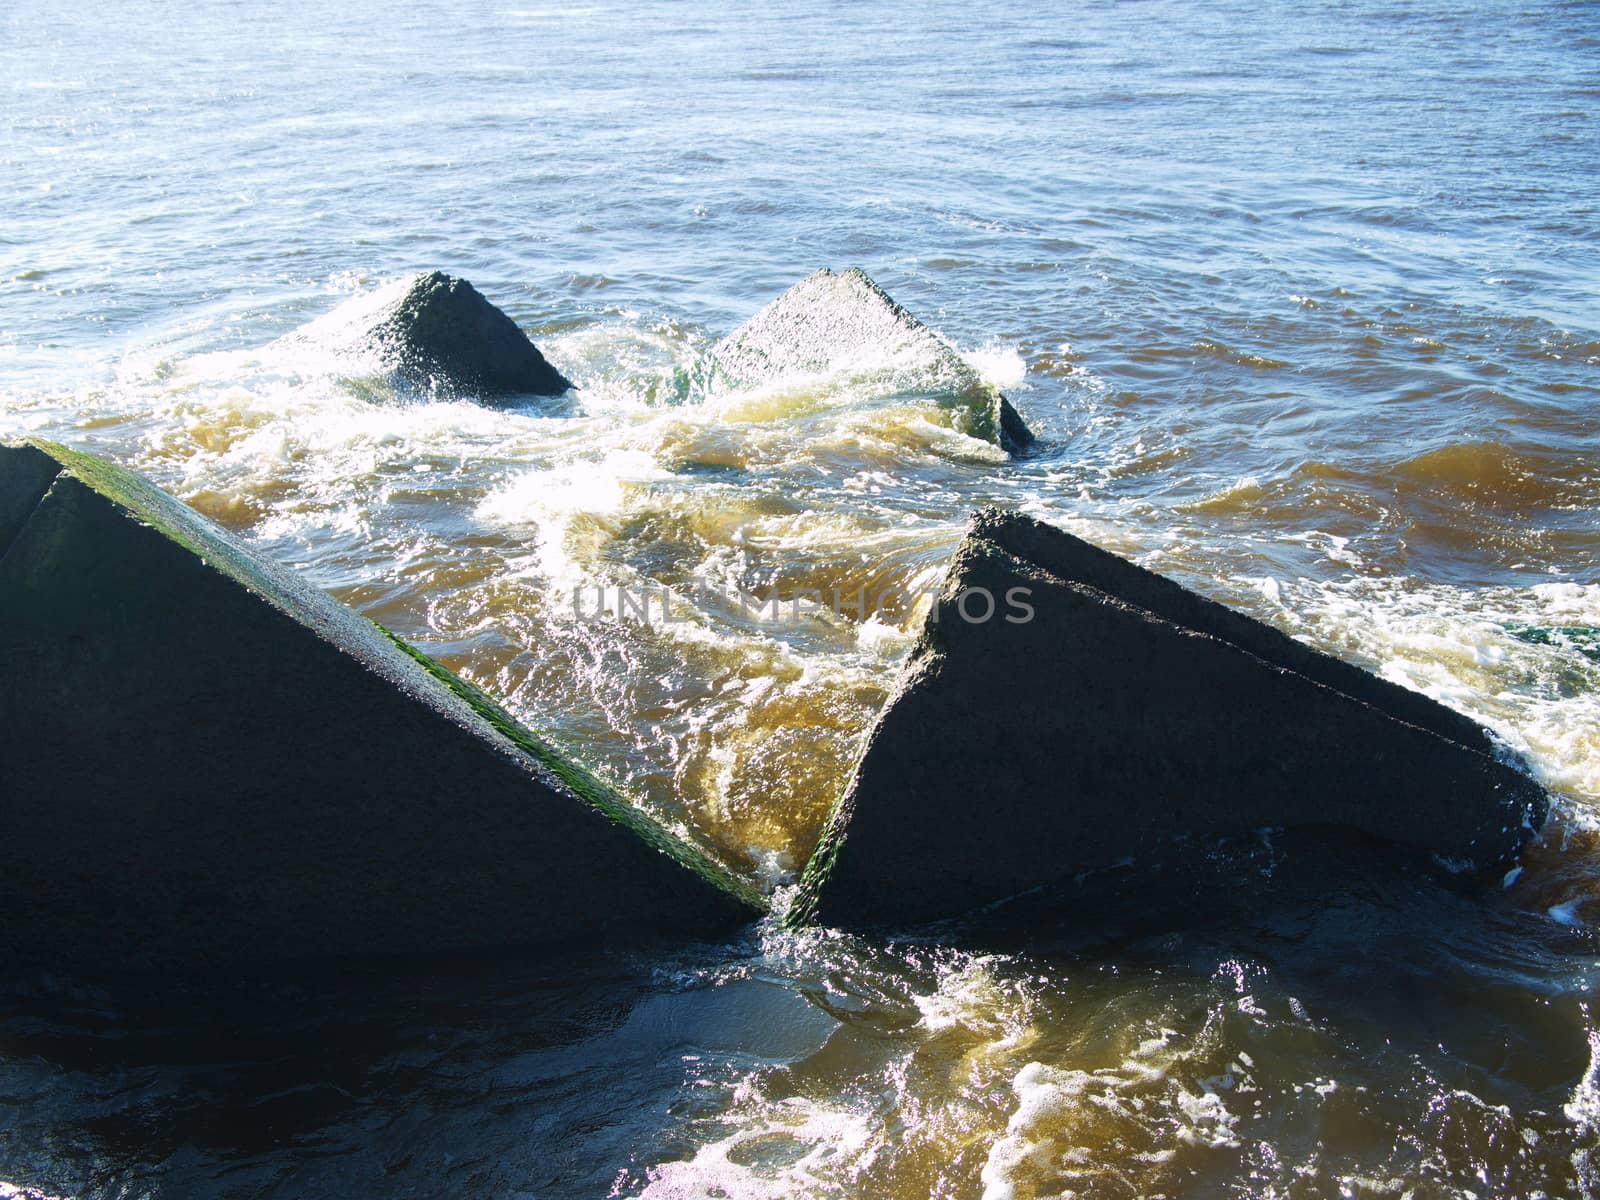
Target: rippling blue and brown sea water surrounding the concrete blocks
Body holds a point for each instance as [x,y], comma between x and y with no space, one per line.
[1305,303]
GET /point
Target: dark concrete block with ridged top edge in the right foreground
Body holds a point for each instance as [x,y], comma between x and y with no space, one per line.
[1105,713]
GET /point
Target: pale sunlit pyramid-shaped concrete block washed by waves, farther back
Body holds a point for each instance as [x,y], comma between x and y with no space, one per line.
[833,324]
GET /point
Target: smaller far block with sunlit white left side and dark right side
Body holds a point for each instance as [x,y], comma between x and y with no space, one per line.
[439,335]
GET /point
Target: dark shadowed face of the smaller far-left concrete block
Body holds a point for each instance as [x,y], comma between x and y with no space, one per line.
[444,337]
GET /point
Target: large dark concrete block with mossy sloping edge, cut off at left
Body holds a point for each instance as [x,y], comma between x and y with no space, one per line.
[207,762]
